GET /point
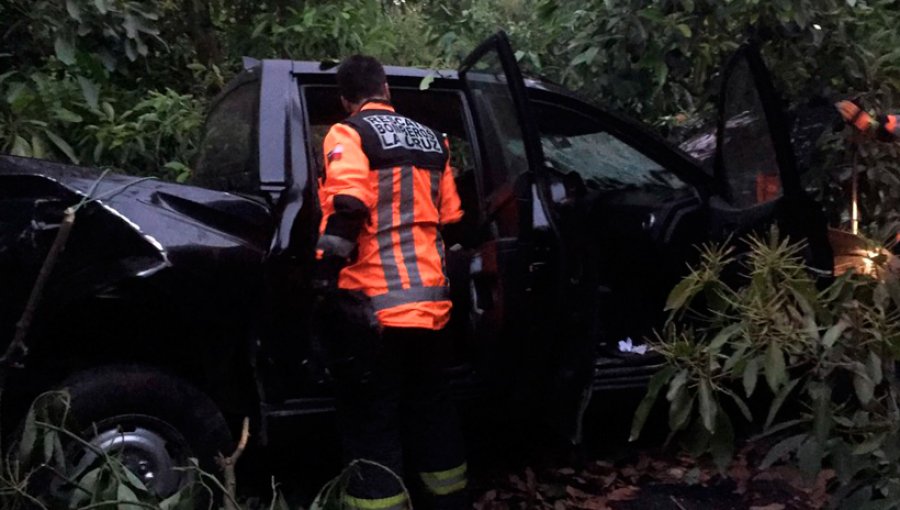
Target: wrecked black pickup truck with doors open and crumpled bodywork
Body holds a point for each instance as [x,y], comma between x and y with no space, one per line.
[175,310]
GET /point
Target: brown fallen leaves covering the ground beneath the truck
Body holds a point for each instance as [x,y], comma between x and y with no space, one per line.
[655,481]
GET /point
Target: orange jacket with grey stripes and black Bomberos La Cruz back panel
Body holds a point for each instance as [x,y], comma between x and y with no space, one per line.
[399,171]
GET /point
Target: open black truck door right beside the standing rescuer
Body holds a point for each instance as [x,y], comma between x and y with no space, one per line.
[517,274]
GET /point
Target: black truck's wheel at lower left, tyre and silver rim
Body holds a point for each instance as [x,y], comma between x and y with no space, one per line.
[154,421]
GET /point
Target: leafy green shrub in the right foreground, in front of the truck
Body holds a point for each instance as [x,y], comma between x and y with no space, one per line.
[822,362]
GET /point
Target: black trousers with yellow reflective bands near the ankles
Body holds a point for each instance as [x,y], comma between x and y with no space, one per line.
[402,417]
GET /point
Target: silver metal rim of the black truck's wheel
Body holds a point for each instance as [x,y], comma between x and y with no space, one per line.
[148,447]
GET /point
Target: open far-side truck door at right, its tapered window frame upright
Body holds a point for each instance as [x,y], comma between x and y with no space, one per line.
[755,167]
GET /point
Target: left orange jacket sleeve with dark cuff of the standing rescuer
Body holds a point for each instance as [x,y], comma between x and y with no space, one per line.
[346,193]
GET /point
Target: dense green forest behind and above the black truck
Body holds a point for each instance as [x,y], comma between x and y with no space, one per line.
[125,83]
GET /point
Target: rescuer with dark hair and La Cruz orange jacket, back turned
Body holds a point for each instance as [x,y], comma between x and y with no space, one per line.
[386,192]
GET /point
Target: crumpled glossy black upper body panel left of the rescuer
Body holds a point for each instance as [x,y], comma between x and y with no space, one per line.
[178,225]
